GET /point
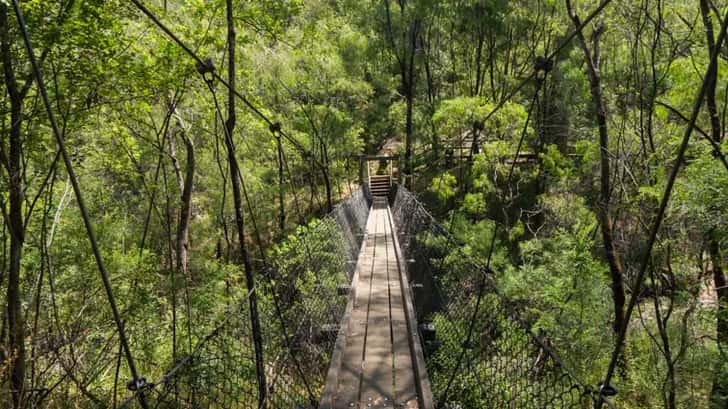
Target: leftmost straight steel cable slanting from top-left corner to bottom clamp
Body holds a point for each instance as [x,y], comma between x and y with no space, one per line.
[137,382]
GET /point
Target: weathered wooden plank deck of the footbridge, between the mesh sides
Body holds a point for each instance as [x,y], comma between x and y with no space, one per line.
[378,361]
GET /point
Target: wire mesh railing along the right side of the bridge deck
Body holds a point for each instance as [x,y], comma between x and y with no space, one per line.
[479,352]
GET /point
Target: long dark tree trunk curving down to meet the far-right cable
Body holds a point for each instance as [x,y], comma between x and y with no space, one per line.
[603,208]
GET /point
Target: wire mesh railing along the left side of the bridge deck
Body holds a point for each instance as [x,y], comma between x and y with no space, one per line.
[302,295]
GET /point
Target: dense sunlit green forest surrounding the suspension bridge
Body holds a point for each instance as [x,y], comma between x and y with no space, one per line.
[173,167]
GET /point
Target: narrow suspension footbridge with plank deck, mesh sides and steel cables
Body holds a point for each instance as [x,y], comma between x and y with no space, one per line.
[374,306]
